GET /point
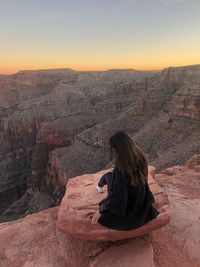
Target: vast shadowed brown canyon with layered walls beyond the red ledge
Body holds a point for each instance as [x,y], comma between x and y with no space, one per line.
[55,125]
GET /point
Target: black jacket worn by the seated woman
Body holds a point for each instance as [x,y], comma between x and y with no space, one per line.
[126,207]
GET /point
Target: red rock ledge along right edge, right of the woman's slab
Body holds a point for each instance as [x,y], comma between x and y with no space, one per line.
[178,243]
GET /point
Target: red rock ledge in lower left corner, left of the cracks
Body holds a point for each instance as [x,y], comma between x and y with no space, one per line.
[34,241]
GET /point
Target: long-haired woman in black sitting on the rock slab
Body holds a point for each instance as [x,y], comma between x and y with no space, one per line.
[129,201]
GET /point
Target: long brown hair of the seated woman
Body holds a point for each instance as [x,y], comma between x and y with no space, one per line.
[129,157]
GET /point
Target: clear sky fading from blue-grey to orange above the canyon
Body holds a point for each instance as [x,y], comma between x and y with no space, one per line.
[98,34]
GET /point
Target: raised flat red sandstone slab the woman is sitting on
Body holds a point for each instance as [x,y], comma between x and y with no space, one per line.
[81,201]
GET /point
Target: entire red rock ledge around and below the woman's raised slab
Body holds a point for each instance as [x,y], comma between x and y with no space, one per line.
[36,241]
